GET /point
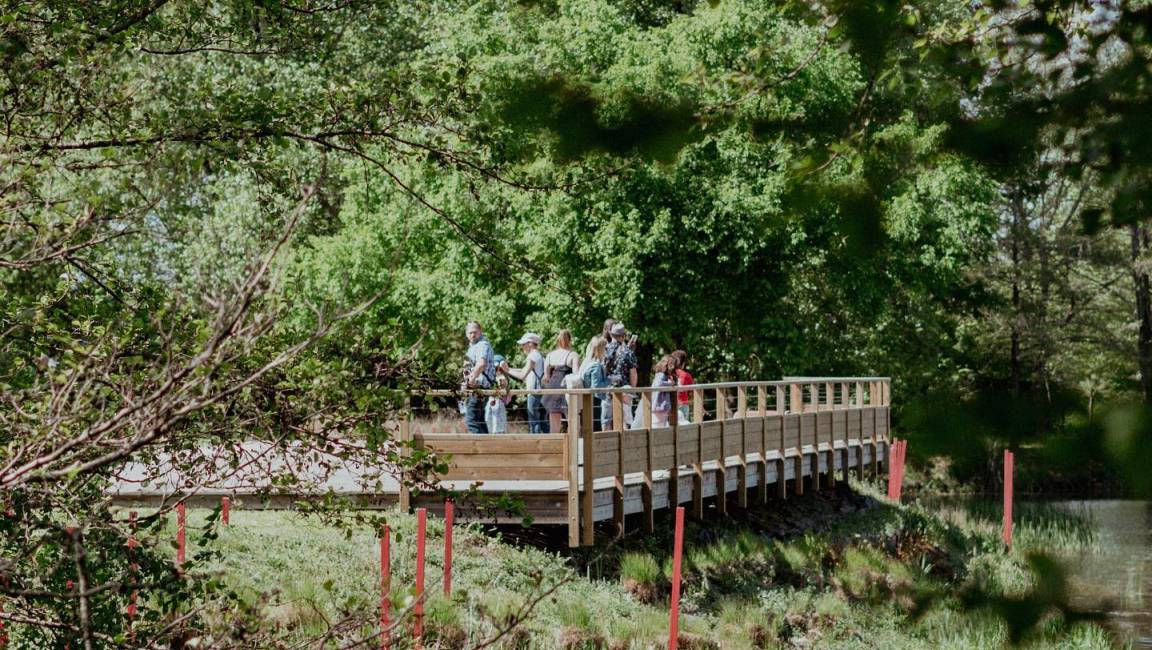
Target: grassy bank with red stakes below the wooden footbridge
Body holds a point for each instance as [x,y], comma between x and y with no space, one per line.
[868,576]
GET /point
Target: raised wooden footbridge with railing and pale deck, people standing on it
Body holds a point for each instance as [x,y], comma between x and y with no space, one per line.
[746,441]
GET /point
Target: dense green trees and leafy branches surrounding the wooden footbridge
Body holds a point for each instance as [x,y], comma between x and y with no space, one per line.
[236,222]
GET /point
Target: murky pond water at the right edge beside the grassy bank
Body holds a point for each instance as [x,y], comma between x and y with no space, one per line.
[1118,579]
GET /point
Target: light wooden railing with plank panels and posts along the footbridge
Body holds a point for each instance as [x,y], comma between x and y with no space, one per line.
[733,427]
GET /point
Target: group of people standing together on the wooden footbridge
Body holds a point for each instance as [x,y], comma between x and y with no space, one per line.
[610,361]
